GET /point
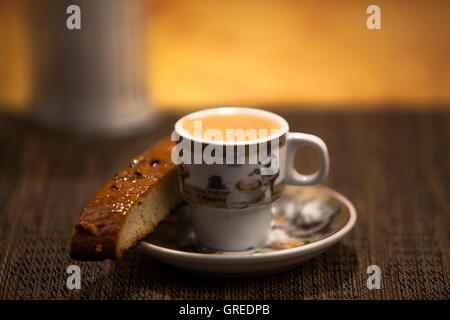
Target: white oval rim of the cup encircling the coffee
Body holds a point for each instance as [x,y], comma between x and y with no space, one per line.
[284,126]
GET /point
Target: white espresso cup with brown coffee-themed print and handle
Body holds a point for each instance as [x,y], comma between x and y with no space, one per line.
[231,186]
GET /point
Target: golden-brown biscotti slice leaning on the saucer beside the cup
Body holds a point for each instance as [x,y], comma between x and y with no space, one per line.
[128,207]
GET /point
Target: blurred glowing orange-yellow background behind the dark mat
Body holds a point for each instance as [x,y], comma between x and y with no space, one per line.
[304,54]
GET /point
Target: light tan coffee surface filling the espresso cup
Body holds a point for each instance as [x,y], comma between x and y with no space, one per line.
[231,127]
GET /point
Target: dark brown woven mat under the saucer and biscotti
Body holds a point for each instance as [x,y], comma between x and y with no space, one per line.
[395,167]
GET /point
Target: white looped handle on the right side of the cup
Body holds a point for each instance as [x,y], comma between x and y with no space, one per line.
[294,140]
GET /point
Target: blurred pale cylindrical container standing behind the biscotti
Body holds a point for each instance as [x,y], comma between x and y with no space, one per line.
[93,79]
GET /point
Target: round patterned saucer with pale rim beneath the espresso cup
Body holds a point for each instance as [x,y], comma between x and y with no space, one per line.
[307,221]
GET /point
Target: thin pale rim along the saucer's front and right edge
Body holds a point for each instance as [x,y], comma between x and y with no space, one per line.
[153,249]
